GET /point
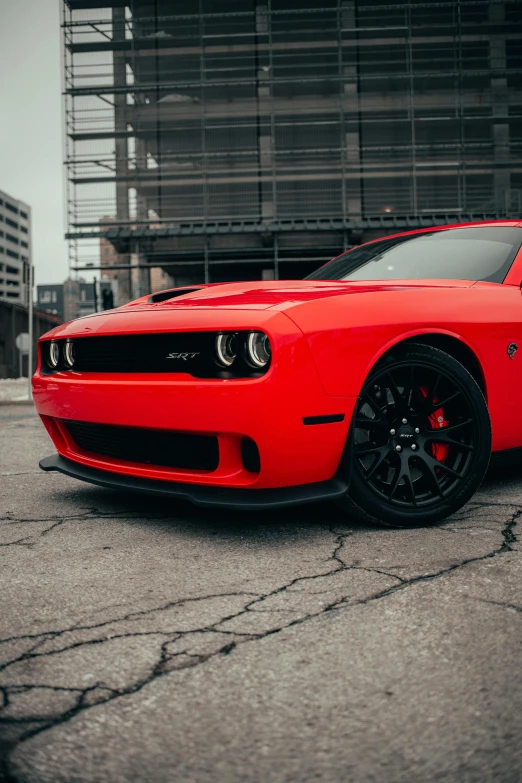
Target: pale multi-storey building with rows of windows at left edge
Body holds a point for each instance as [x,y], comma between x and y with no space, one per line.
[15,249]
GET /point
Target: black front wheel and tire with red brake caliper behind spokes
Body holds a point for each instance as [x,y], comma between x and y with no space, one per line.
[420,439]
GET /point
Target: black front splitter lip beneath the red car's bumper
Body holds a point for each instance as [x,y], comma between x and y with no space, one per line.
[210,497]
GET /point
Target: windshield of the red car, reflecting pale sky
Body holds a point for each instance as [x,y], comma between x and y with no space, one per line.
[480,253]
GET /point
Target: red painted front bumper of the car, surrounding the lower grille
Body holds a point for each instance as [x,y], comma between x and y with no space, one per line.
[300,430]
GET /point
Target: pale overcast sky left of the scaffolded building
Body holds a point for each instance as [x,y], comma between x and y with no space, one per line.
[31,155]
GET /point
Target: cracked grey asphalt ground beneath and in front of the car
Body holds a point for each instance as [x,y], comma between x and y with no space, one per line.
[142,640]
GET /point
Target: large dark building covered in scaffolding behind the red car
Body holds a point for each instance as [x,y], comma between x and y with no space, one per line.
[243,139]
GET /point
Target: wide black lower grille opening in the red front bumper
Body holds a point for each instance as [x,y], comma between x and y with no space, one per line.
[152,447]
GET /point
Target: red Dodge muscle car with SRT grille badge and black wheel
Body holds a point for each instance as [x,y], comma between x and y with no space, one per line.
[385,379]
